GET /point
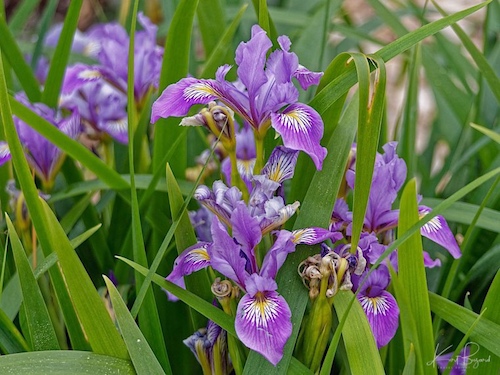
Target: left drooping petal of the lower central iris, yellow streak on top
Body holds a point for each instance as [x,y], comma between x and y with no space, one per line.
[193,259]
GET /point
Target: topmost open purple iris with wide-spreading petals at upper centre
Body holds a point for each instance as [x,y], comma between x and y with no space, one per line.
[265,95]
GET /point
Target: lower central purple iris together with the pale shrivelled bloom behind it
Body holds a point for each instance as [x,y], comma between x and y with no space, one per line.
[262,318]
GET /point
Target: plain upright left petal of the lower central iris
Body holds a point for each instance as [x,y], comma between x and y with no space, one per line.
[225,255]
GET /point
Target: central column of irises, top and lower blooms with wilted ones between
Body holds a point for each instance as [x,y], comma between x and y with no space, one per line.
[244,242]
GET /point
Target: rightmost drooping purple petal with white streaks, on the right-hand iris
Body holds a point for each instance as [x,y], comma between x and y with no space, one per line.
[437,230]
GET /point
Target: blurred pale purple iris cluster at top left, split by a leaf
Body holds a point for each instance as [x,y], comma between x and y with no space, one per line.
[99,91]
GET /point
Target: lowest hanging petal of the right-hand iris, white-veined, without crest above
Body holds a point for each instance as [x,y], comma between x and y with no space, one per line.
[382,312]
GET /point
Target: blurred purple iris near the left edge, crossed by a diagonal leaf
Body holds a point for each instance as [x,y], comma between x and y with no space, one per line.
[44,157]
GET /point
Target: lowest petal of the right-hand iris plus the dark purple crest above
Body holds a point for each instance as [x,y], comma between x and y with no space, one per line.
[379,305]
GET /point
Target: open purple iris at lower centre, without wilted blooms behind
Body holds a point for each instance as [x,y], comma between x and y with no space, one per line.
[263,316]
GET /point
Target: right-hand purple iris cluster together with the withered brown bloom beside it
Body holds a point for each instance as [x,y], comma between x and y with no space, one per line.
[378,233]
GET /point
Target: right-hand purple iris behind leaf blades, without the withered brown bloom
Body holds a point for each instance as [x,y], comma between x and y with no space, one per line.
[389,175]
